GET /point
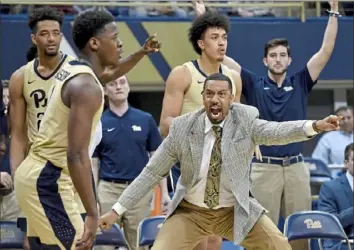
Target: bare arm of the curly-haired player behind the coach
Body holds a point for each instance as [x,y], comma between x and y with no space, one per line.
[176,85]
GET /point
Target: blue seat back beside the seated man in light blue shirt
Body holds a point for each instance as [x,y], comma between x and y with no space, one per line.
[319,171]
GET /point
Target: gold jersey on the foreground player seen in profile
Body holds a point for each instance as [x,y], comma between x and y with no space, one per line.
[51,142]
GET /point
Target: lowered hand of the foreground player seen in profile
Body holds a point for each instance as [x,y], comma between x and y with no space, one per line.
[88,238]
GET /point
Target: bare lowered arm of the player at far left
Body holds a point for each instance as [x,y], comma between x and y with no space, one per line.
[19,138]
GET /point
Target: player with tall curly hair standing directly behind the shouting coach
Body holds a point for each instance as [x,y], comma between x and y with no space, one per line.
[184,85]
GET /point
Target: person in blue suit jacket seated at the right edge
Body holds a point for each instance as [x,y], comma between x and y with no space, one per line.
[336,197]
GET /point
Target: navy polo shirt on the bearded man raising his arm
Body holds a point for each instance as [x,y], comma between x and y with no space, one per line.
[287,103]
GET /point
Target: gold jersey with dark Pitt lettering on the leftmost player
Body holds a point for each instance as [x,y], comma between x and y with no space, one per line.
[35,92]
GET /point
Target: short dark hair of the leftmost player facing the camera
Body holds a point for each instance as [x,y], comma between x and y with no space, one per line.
[44,14]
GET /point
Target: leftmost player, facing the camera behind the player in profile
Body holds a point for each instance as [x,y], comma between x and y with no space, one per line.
[29,85]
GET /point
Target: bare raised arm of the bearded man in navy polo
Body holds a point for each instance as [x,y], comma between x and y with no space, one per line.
[317,63]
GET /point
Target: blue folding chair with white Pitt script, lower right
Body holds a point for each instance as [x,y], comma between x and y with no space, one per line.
[314,225]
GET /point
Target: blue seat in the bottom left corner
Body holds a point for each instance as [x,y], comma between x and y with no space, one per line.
[11,237]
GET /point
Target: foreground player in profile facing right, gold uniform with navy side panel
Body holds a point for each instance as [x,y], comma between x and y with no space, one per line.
[60,155]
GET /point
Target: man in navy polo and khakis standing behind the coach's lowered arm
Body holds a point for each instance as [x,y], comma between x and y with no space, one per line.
[129,137]
